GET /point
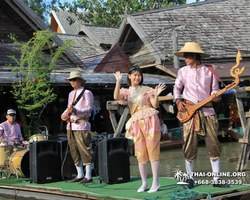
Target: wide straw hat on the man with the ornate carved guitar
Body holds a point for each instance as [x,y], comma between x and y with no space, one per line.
[191,47]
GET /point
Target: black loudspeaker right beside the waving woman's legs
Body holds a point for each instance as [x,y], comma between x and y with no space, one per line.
[113,160]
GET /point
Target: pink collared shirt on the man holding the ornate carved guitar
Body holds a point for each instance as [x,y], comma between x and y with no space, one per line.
[198,85]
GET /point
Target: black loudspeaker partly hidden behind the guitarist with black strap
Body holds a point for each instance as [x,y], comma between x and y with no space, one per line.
[68,169]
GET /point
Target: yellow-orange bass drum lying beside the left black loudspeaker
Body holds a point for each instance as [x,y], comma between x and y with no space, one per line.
[19,163]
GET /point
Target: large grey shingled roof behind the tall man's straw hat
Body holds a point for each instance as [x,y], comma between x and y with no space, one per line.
[222,27]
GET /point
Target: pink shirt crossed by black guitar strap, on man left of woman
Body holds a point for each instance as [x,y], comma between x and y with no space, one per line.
[83,109]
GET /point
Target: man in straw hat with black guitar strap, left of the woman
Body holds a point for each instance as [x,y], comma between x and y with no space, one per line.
[80,104]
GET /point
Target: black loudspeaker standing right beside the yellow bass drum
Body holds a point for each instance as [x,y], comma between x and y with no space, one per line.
[45,162]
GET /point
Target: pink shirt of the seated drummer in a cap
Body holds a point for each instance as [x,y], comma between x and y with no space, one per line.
[11,132]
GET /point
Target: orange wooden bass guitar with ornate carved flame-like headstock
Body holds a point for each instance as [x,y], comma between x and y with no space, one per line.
[191,109]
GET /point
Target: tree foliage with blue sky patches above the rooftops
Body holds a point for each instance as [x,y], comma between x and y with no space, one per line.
[100,12]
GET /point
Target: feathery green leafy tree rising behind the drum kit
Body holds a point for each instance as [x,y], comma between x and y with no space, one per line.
[33,90]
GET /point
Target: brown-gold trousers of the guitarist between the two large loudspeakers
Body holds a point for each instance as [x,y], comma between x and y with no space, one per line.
[80,144]
